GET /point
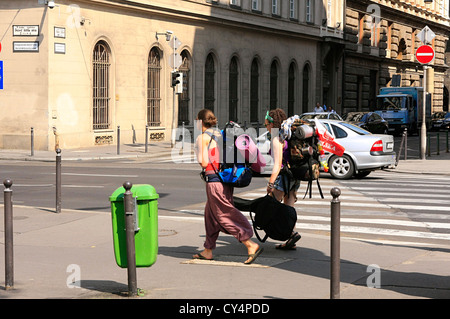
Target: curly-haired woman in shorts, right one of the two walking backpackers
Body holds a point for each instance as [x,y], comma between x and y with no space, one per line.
[281,186]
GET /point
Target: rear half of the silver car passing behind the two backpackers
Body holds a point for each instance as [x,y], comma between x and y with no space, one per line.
[364,151]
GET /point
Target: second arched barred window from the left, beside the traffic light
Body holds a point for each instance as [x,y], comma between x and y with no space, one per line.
[154,88]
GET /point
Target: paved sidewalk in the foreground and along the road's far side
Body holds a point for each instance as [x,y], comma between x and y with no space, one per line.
[70,255]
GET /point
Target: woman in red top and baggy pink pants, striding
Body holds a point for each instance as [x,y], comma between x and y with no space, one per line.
[220,213]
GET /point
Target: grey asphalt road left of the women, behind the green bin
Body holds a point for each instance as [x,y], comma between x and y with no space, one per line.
[88,185]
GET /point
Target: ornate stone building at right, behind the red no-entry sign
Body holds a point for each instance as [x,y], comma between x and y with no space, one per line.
[381,38]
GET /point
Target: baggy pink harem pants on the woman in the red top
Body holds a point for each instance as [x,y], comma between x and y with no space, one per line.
[221,215]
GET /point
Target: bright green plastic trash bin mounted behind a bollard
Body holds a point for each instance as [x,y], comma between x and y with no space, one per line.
[146,225]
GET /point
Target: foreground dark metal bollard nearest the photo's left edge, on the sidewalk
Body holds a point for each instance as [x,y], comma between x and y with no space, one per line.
[9,254]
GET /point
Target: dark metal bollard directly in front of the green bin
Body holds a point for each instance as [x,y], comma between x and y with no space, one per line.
[131,253]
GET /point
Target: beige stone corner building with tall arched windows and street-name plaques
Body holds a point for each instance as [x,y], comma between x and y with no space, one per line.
[82,71]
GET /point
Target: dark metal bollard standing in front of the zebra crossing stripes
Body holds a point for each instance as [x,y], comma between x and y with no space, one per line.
[335,244]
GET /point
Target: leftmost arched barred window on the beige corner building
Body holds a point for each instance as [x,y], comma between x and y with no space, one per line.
[101,92]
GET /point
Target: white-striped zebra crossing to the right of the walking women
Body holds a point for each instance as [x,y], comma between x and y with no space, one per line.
[385,206]
